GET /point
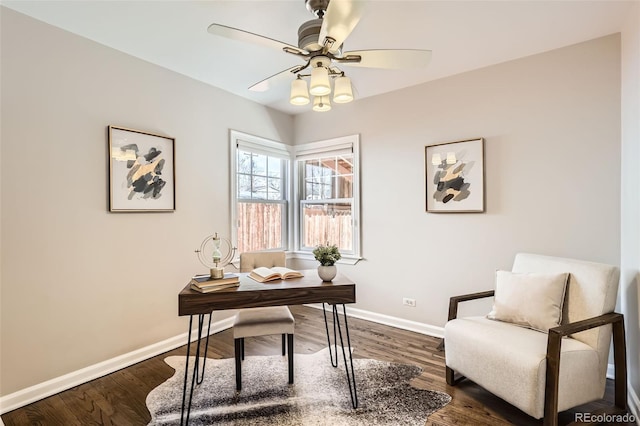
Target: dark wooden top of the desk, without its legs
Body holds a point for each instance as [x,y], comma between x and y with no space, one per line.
[252,294]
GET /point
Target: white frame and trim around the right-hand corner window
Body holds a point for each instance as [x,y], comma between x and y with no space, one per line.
[315,150]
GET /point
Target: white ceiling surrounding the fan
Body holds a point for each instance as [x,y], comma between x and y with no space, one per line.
[463,35]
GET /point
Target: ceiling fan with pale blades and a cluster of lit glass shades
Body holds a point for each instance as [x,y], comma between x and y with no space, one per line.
[320,43]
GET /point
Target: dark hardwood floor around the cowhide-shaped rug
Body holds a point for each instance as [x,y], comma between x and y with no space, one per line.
[119,398]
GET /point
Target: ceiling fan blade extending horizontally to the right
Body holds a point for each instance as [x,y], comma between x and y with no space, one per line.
[388,58]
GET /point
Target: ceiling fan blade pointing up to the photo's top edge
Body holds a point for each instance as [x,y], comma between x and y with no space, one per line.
[340,19]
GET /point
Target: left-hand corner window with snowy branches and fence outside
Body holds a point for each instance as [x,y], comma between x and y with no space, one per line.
[259,193]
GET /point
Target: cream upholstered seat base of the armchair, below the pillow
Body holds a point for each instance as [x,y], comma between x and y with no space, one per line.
[510,362]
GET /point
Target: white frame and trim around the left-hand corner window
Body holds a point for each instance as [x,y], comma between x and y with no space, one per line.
[239,140]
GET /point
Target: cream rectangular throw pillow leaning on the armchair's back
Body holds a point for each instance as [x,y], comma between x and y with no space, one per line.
[529,299]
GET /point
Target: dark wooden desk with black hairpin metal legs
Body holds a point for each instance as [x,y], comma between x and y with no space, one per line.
[252,294]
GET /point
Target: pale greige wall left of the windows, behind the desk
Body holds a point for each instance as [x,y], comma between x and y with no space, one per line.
[81,285]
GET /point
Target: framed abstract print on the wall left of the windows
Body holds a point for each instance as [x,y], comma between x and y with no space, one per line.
[141,171]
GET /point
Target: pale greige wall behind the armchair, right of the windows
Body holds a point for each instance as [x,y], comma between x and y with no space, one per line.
[551,124]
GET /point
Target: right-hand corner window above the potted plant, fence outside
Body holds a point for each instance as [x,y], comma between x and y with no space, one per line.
[328,195]
